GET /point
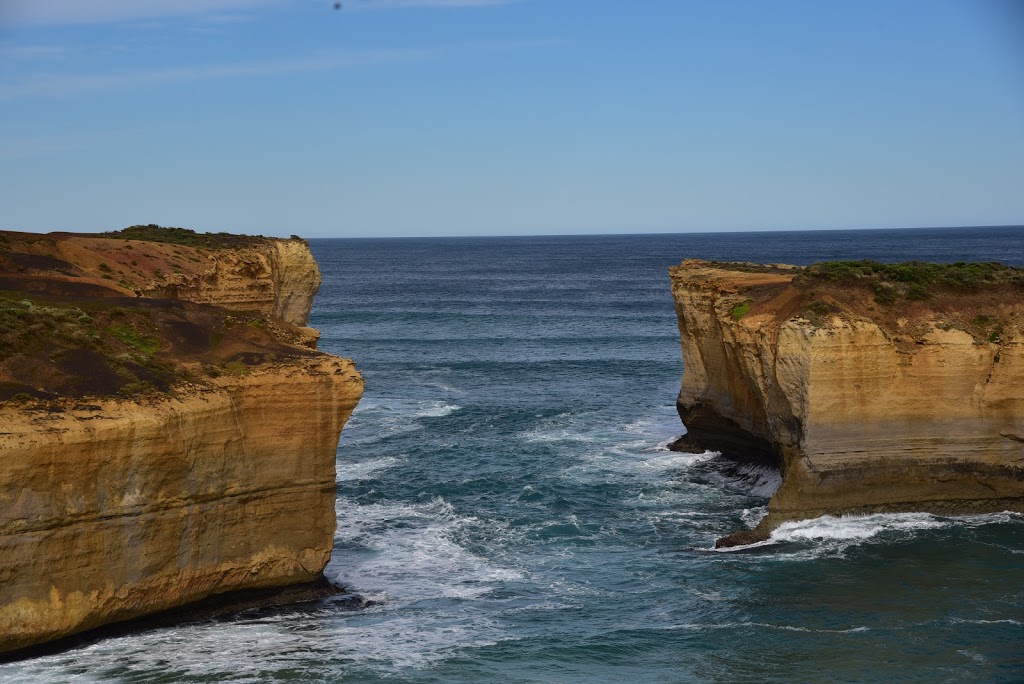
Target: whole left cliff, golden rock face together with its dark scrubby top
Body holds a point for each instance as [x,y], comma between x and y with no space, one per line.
[156,452]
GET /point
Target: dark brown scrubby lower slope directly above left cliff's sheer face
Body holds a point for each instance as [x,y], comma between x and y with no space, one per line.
[54,348]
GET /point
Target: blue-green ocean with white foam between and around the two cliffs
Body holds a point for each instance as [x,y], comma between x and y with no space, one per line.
[505,493]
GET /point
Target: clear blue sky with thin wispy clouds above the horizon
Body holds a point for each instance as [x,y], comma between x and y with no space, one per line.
[394,118]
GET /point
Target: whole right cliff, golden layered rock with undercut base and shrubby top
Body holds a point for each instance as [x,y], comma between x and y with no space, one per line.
[874,388]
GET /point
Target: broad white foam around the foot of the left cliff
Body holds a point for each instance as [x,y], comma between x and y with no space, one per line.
[412,554]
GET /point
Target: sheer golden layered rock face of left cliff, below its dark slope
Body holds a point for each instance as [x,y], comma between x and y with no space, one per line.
[115,509]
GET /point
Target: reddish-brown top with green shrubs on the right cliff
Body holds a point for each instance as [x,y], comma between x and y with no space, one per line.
[906,300]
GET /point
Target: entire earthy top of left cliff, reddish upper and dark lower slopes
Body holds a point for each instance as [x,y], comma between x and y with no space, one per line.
[101,316]
